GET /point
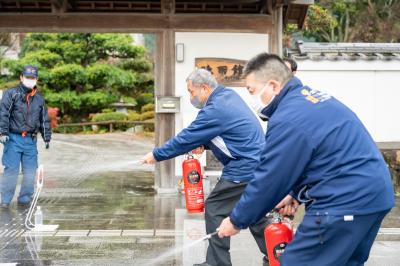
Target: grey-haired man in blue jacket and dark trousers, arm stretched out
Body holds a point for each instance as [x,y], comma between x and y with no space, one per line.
[227,126]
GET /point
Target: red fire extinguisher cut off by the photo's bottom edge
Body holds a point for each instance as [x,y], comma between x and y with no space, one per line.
[277,236]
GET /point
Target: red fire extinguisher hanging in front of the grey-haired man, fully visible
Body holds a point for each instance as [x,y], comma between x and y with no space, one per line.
[193,184]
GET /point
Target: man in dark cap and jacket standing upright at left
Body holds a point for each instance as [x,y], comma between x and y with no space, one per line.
[22,115]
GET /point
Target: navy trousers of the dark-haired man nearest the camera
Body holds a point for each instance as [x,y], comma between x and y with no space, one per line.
[329,240]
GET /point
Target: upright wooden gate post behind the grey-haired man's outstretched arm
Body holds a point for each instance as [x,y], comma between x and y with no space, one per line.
[165,123]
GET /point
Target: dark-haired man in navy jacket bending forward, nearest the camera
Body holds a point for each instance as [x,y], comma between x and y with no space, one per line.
[317,149]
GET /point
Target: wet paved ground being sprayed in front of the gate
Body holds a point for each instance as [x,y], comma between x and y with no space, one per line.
[108,213]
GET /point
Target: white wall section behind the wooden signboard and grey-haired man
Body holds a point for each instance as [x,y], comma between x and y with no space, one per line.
[206,44]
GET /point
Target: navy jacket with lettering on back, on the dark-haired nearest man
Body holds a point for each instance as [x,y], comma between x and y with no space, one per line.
[317,144]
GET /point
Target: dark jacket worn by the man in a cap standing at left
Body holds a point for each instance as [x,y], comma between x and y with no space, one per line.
[16,116]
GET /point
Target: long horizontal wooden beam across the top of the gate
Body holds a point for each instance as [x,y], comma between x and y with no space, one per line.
[123,22]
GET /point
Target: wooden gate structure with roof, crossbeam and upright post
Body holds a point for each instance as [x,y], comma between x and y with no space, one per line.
[163,18]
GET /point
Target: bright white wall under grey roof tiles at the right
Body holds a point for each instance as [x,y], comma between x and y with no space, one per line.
[370,88]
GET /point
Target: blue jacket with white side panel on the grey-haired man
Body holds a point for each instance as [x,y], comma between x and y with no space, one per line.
[228,127]
